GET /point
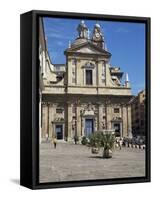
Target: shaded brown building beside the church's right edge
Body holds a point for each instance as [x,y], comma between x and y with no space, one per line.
[138,114]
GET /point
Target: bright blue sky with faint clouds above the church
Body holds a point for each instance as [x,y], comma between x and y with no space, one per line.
[125,41]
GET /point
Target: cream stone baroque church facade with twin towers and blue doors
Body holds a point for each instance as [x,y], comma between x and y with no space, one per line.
[86,93]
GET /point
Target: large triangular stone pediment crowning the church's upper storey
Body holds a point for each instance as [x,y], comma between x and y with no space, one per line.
[88,48]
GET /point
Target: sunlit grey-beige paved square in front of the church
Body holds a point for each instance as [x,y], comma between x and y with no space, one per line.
[75,162]
